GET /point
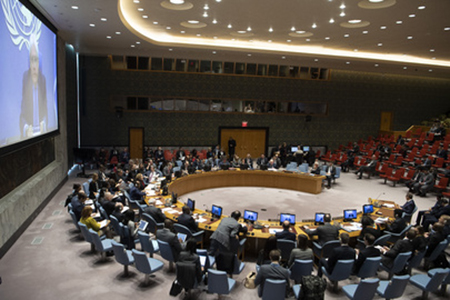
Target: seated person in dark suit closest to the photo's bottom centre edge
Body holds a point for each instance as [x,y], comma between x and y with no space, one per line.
[273,271]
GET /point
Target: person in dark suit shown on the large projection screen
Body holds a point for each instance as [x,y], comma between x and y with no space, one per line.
[33,114]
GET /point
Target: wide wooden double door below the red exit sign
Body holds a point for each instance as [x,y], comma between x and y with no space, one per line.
[248,140]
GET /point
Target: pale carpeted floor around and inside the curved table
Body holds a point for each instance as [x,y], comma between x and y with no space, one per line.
[51,261]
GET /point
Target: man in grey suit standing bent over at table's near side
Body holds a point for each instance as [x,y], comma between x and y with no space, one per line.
[226,236]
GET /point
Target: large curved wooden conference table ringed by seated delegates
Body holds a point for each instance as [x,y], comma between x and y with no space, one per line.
[231,178]
